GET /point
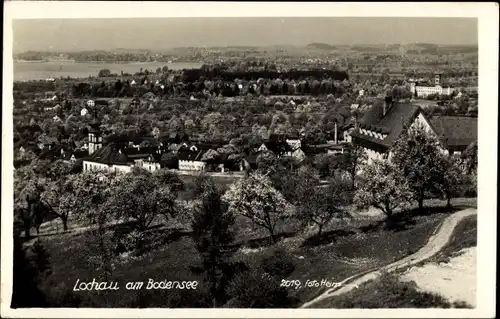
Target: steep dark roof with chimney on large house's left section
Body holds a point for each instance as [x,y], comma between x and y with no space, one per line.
[398,116]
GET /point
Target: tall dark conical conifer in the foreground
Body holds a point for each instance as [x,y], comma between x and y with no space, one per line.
[212,231]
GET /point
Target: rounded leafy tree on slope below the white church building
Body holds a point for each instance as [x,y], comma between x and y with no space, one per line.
[141,197]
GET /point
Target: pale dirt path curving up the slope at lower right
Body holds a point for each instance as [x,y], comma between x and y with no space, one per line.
[436,242]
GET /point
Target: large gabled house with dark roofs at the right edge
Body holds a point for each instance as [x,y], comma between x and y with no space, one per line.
[384,123]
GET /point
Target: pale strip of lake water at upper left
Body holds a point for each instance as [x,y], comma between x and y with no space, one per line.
[25,71]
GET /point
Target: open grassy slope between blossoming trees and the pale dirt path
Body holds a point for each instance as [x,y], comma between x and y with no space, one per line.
[361,249]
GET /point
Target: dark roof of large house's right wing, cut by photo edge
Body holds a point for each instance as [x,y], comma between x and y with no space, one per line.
[456,132]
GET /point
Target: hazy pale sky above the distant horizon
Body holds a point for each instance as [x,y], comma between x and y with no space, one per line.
[166,33]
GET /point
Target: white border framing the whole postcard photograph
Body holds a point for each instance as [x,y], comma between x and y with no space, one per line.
[487,13]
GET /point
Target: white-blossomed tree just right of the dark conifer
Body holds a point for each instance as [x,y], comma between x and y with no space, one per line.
[254,197]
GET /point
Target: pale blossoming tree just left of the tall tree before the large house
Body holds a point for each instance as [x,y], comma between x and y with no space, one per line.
[382,186]
